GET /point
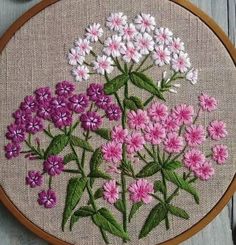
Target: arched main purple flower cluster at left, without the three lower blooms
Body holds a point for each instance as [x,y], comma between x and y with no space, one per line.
[43,106]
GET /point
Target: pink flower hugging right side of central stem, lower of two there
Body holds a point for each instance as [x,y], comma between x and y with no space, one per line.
[134,142]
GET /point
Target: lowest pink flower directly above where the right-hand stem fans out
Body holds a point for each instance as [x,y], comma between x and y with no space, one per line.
[173,143]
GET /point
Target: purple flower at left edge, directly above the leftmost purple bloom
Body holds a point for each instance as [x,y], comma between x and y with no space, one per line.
[16,133]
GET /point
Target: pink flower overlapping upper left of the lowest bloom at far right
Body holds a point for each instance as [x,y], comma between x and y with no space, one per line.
[193,159]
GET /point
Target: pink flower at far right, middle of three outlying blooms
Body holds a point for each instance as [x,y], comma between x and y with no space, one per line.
[217,130]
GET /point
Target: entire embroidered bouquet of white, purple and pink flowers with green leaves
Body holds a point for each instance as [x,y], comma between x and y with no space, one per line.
[149,138]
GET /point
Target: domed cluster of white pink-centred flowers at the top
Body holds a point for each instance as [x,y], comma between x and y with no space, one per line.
[130,42]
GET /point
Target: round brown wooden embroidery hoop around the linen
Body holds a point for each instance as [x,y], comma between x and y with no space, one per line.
[215,210]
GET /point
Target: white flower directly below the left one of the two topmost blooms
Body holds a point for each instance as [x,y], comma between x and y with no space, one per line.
[112,46]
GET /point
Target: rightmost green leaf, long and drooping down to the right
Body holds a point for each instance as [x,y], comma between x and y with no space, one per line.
[181,183]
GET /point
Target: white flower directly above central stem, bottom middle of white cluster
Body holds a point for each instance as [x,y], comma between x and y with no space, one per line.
[130,52]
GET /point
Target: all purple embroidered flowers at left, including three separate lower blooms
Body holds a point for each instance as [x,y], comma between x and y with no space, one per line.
[63,109]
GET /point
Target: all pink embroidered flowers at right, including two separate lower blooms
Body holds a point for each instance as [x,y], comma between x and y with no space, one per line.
[176,132]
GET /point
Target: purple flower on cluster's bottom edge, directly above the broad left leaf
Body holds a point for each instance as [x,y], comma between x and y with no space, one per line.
[62,118]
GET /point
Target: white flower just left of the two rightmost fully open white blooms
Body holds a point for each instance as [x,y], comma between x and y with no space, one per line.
[161,55]
